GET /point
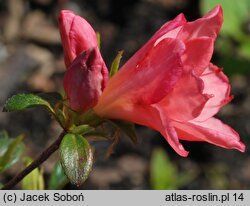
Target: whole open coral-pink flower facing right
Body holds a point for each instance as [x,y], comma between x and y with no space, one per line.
[171,86]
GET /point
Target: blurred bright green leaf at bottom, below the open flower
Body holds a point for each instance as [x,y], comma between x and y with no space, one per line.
[163,174]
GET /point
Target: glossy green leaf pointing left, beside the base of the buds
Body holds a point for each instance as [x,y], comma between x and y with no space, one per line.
[24,101]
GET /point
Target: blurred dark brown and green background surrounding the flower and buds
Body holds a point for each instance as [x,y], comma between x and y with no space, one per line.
[31,60]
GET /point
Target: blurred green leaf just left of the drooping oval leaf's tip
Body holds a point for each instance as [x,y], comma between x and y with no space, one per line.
[57,178]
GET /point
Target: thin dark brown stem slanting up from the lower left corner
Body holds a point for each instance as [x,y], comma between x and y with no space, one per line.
[38,161]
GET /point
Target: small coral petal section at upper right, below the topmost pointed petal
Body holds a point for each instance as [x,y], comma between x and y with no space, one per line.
[198,53]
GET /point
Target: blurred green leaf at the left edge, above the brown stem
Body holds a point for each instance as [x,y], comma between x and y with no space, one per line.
[13,153]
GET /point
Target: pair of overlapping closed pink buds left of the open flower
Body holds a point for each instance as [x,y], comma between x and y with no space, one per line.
[86,74]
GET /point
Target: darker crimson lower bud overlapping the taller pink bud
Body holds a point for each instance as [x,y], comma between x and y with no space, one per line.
[85,80]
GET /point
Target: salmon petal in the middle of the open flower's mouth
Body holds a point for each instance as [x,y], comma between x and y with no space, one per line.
[187,100]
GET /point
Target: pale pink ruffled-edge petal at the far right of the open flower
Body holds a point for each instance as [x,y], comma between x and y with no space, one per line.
[217,84]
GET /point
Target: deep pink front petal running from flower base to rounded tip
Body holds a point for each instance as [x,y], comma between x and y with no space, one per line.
[147,83]
